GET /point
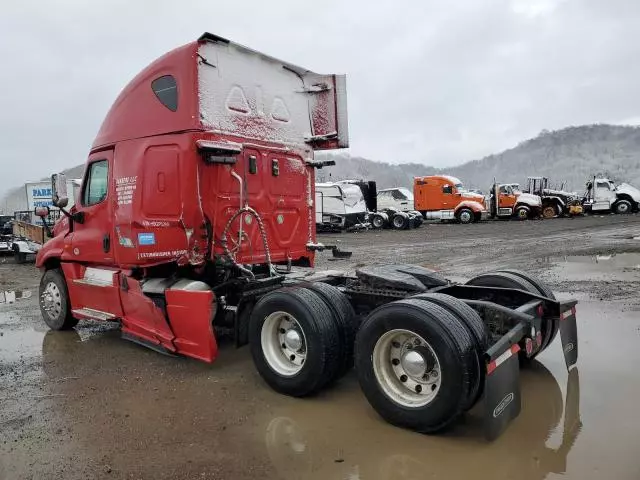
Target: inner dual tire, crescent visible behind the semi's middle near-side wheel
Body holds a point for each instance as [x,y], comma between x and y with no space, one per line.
[344,317]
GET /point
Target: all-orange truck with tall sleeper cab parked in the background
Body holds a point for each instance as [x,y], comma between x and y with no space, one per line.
[441,197]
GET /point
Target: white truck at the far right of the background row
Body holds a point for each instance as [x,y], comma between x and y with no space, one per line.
[603,195]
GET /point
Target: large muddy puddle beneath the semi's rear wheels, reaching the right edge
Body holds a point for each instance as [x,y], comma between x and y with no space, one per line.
[339,436]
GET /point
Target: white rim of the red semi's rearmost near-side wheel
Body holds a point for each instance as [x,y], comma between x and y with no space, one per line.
[406,368]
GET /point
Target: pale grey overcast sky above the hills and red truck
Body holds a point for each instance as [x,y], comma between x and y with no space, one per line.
[431,81]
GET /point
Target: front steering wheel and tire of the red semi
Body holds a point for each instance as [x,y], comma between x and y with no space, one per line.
[54,301]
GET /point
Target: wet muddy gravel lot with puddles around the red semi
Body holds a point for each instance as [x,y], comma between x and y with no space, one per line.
[86,404]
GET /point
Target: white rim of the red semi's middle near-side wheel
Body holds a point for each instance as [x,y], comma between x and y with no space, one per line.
[283,344]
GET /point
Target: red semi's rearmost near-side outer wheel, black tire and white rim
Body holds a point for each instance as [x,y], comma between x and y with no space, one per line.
[447,344]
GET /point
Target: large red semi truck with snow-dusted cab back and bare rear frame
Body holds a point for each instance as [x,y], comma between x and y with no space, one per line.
[197,200]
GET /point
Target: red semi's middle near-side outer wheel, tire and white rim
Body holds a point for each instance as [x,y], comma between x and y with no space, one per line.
[301,311]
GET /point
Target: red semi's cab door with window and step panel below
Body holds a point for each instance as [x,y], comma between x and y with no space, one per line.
[92,278]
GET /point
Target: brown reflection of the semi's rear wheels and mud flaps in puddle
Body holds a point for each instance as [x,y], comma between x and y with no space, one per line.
[320,443]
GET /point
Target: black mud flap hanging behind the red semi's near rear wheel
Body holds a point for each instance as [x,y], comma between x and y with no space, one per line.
[502,400]
